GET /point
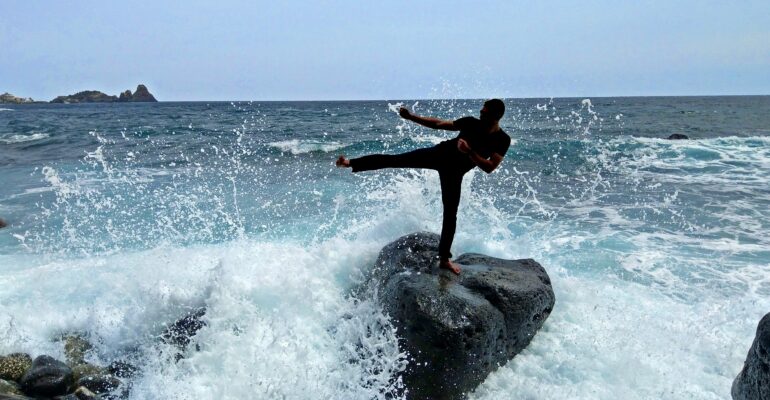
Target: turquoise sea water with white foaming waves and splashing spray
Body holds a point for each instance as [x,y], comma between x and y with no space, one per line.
[123,217]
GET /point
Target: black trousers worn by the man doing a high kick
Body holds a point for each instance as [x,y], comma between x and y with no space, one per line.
[428,158]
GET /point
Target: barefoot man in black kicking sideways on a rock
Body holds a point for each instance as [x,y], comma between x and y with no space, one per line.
[481,143]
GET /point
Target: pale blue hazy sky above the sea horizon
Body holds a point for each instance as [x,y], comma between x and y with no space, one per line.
[356,50]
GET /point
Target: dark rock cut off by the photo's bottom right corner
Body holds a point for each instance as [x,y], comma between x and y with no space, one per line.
[753,383]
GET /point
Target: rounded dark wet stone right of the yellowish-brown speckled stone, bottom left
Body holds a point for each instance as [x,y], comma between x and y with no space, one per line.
[47,377]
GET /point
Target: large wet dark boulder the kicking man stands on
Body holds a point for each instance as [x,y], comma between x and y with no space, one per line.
[458,329]
